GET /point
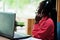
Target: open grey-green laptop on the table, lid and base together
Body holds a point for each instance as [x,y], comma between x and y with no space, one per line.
[7,21]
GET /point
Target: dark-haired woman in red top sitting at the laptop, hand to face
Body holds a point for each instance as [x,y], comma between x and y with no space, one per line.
[44,27]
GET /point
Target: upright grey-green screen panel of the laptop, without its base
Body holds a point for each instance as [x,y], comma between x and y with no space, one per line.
[7,24]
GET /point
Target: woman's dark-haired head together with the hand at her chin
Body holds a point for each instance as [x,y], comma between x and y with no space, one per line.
[45,9]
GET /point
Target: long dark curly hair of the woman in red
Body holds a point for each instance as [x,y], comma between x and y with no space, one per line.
[47,8]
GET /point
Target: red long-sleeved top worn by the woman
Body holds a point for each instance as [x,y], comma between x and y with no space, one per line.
[44,29]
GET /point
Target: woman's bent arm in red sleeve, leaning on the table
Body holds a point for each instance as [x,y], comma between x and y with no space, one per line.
[43,31]
